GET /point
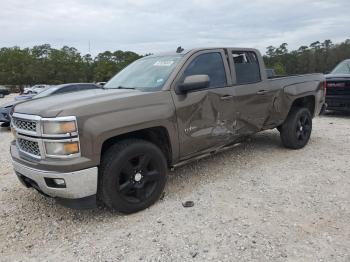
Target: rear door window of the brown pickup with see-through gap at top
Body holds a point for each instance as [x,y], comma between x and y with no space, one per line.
[247,67]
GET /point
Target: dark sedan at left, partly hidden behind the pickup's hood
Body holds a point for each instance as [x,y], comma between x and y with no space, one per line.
[55,90]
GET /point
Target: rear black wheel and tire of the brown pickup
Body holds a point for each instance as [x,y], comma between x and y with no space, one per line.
[296,130]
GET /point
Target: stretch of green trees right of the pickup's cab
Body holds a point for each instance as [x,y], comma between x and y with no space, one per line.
[319,57]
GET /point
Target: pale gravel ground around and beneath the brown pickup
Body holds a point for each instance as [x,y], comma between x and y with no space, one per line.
[256,202]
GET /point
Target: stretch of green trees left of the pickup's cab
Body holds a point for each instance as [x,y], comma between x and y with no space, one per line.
[46,65]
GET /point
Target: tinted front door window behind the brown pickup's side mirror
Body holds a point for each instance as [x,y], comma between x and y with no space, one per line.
[210,64]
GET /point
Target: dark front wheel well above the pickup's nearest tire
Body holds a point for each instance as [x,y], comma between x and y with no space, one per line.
[156,135]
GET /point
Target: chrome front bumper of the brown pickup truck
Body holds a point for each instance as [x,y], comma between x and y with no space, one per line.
[79,184]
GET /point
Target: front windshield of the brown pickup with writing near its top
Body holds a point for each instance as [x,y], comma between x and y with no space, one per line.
[146,74]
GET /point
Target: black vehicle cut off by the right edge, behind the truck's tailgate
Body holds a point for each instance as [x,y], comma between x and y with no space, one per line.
[338,87]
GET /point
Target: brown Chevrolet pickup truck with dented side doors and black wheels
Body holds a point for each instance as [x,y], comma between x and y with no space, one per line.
[114,146]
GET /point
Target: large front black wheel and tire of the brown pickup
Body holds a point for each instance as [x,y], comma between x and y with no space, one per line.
[132,175]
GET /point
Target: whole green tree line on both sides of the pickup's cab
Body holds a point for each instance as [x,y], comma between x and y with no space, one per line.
[48,65]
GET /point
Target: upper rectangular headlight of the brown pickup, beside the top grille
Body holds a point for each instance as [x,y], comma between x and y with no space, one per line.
[59,127]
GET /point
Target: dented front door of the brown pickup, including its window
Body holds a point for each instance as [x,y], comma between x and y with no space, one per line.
[204,116]
